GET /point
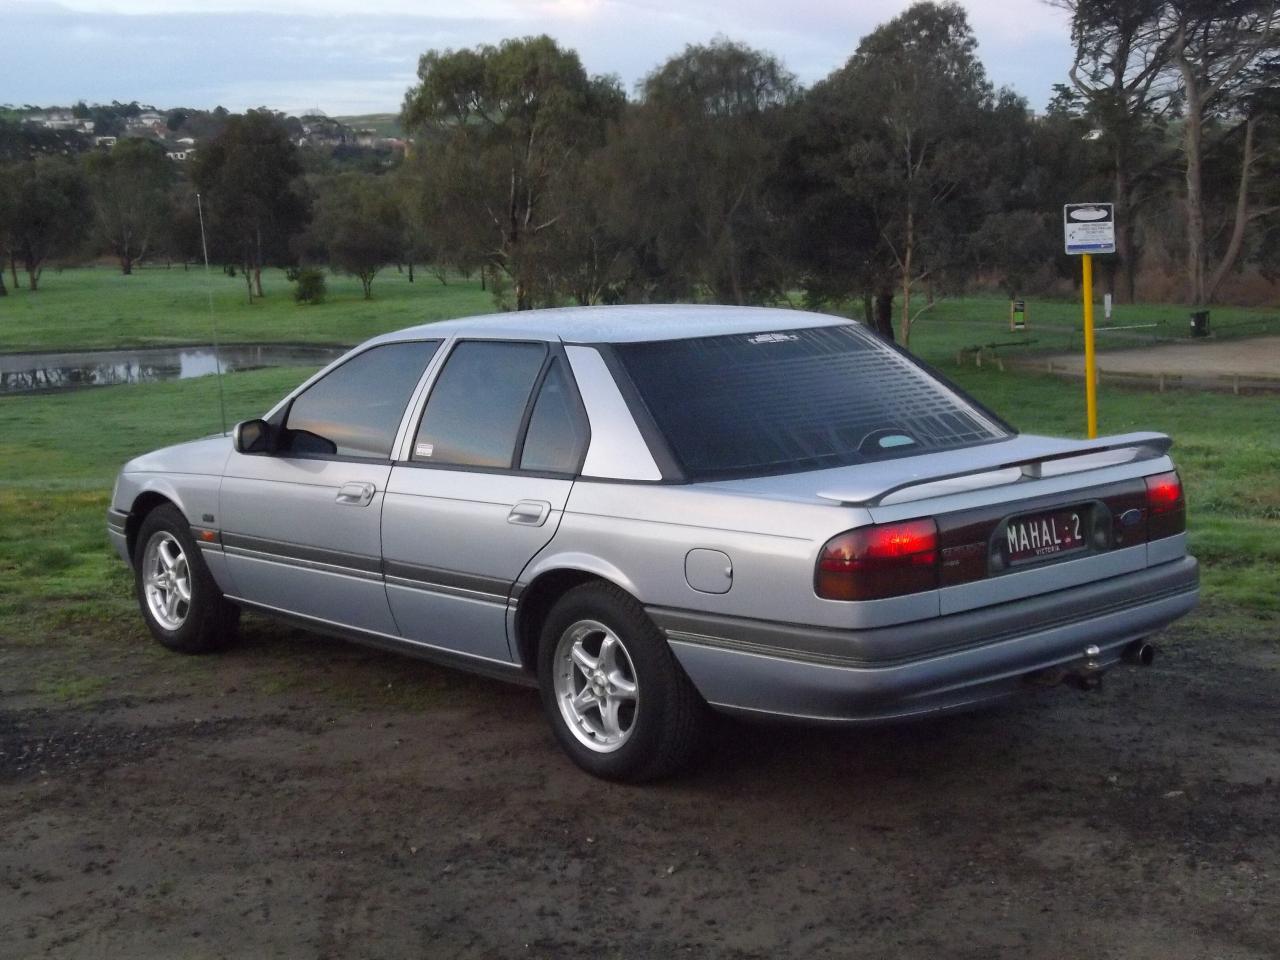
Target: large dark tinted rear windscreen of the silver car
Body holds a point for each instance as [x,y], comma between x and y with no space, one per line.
[797,400]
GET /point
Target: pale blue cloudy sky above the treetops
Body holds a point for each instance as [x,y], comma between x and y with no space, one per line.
[351,57]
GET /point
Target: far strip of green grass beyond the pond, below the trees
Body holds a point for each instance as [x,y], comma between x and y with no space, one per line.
[95,308]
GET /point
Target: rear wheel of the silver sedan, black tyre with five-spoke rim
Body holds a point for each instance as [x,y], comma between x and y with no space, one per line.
[618,701]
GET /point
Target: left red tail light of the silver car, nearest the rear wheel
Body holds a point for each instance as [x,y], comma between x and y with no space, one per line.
[874,563]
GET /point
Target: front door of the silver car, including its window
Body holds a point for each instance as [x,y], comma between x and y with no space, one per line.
[301,525]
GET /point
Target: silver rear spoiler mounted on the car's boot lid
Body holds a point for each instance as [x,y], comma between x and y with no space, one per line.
[1054,459]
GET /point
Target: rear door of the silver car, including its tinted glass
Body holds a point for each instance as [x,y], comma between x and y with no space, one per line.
[481,492]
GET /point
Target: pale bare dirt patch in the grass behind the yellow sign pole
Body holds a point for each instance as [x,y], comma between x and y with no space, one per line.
[1258,358]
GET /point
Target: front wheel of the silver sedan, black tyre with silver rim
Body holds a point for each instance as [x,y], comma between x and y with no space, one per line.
[181,604]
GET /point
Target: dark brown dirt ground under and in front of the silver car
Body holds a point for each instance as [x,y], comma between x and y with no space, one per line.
[301,798]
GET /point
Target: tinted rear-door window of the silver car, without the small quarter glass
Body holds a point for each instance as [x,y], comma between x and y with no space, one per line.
[478,405]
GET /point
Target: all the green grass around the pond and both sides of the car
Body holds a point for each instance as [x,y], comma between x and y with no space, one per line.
[61,452]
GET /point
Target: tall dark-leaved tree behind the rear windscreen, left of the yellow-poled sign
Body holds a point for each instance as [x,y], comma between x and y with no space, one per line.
[916,117]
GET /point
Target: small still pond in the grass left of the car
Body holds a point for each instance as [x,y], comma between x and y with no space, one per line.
[35,373]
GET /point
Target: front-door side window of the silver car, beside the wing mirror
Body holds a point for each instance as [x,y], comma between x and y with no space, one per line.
[355,410]
